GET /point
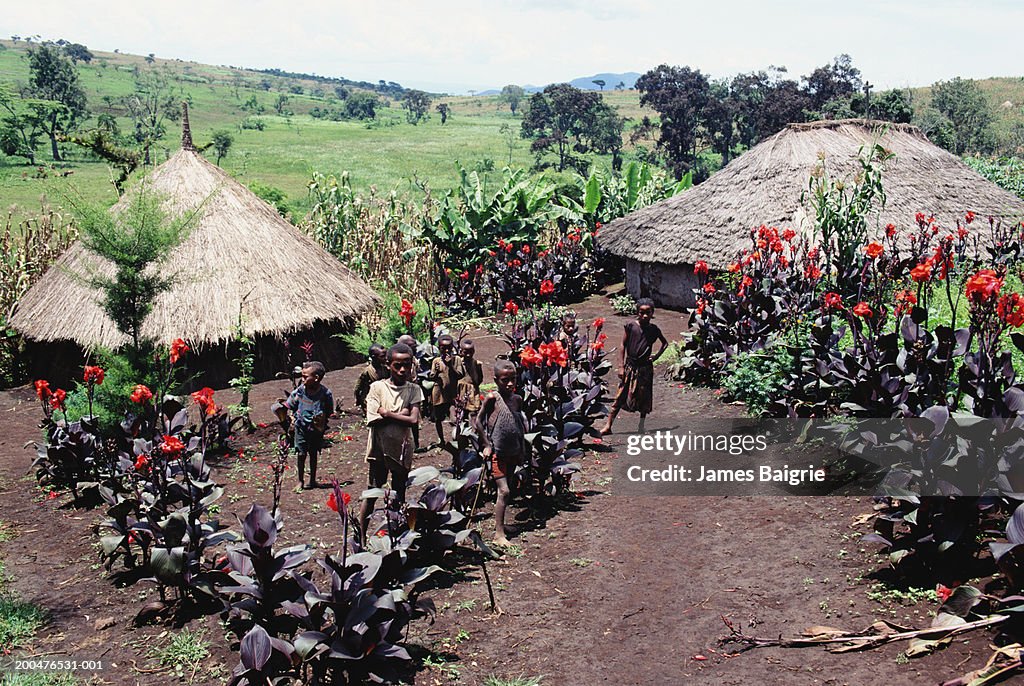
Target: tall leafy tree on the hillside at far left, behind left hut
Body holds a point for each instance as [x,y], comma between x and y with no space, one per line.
[54,77]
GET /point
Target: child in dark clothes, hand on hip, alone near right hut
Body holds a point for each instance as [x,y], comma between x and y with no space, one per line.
[636,366]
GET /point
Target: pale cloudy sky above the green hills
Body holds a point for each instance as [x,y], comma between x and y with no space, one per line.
[458,47]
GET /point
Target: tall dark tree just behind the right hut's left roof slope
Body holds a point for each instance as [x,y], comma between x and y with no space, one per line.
[680,96]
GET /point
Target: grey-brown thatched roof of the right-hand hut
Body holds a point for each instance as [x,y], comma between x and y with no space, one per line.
[712,222]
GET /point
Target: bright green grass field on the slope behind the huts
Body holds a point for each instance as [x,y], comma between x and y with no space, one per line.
[388,154]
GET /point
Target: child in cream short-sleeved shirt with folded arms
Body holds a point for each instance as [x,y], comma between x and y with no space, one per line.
[393,411]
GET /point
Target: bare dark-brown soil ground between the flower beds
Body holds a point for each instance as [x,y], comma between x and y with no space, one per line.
[611,590]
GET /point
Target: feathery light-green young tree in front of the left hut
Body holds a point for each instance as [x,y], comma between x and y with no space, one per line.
[138,241]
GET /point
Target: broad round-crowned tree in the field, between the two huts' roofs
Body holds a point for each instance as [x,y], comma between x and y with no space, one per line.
[566,120]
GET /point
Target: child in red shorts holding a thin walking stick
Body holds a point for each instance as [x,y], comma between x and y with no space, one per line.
[502,431]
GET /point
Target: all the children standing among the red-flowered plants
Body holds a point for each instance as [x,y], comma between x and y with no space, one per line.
[390,395]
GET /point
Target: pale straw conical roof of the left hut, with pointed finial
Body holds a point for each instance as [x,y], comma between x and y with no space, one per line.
[240,256]
